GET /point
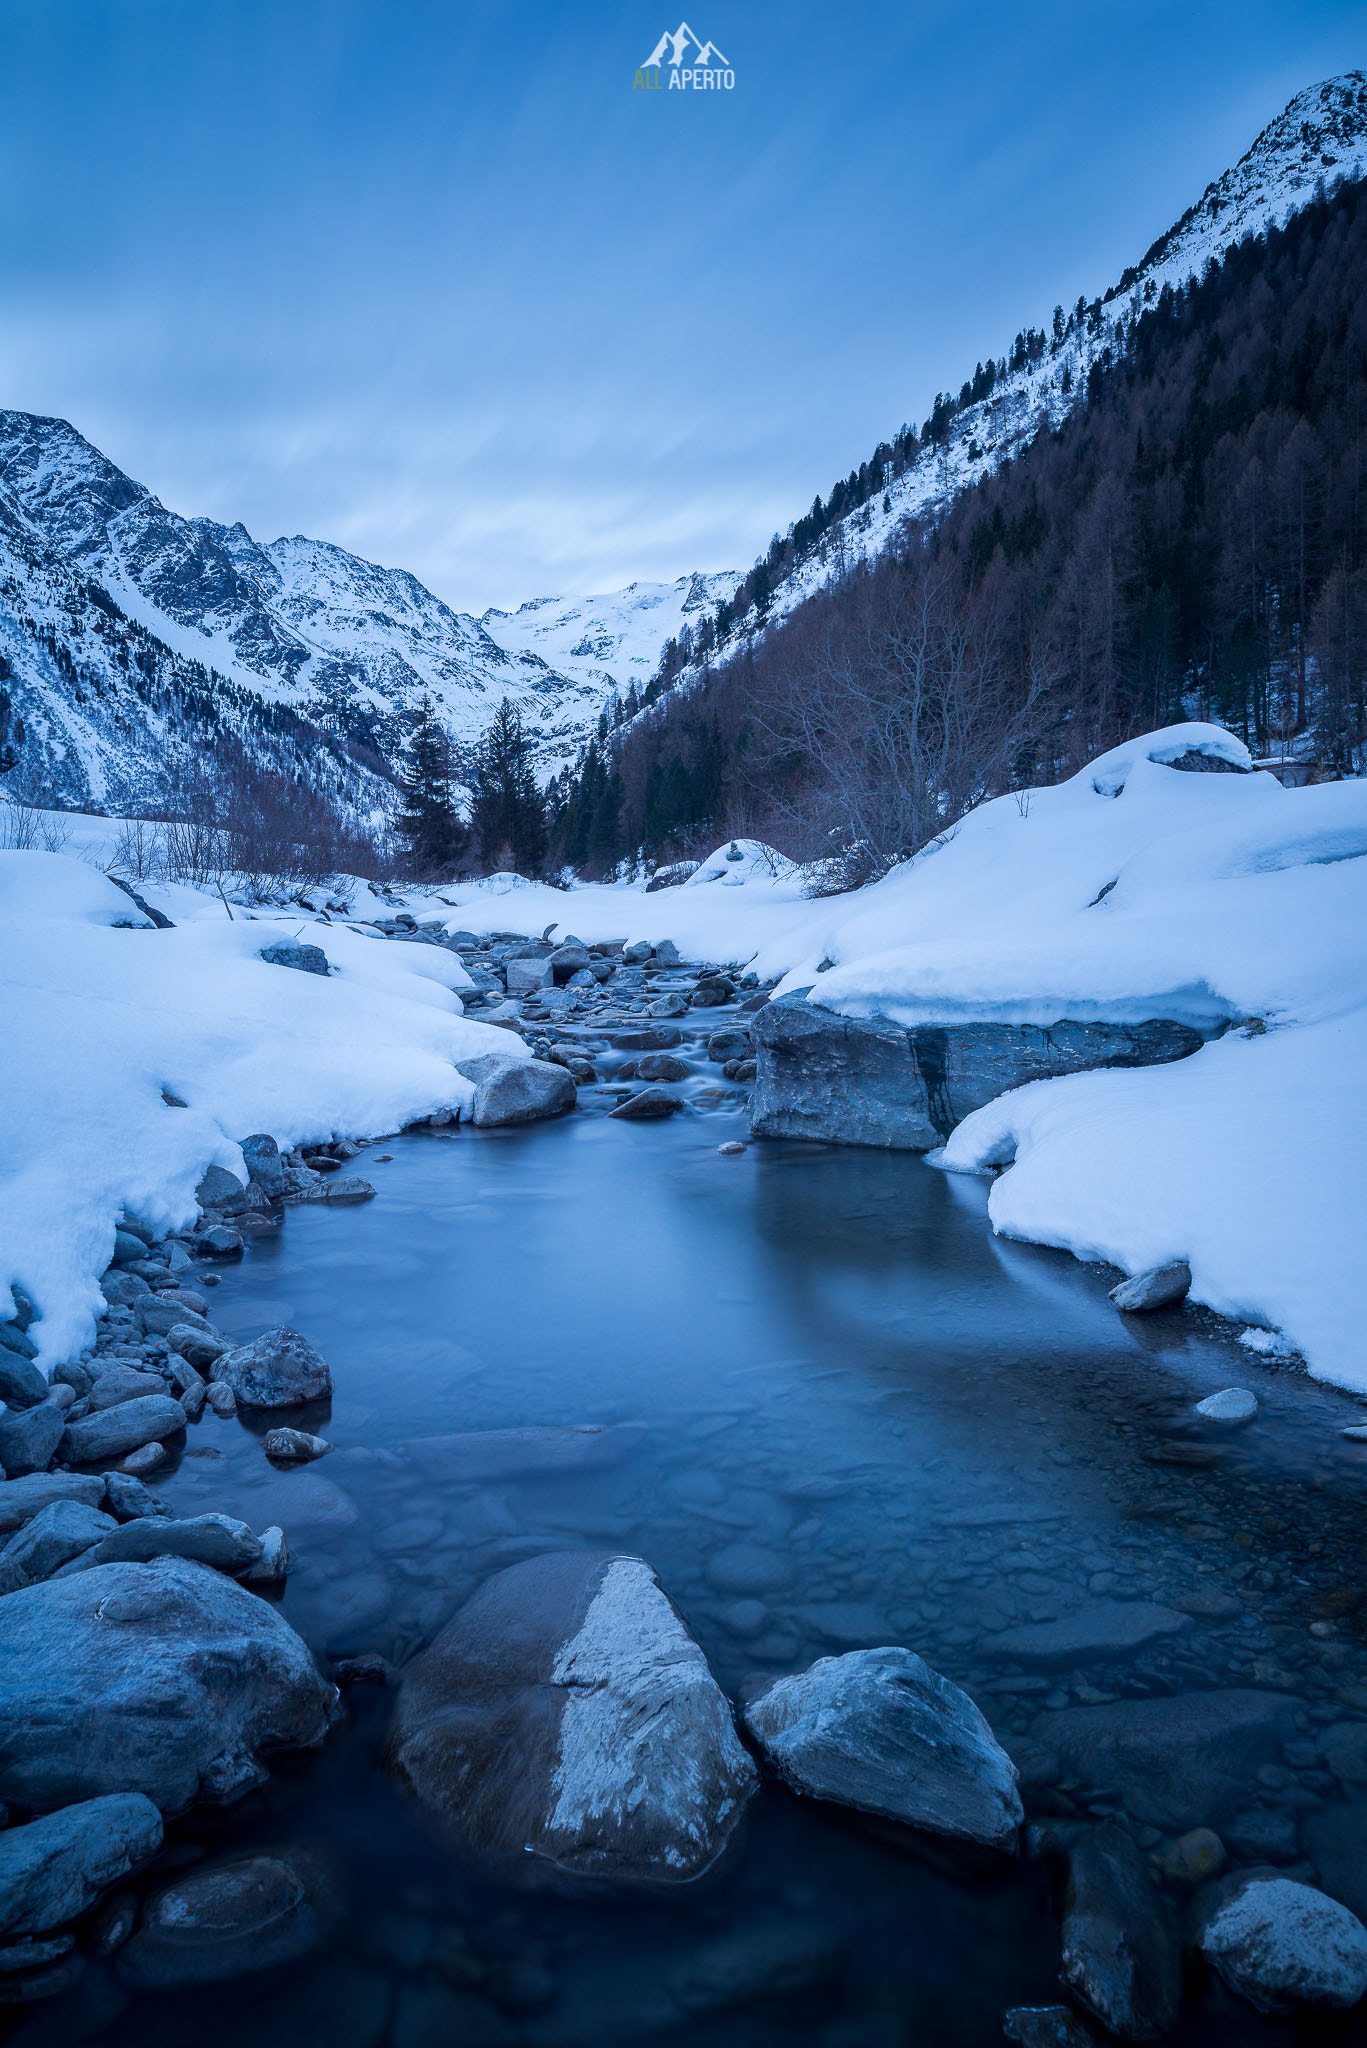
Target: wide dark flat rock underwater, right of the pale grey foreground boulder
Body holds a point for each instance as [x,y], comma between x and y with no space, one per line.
[1175,1762]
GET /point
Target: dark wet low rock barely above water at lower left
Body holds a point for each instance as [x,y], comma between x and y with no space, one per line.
[229,1920]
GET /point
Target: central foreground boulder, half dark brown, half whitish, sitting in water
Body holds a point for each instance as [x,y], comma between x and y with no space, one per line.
[567,1721]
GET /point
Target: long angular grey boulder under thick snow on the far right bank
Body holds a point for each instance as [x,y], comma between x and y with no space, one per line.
[874,1082]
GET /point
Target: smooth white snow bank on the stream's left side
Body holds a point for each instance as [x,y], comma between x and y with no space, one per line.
[103,1023]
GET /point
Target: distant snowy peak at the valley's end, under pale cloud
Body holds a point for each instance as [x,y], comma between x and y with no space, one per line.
[614,640]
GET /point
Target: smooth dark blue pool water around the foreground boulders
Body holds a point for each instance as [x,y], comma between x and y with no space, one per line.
[868,1422]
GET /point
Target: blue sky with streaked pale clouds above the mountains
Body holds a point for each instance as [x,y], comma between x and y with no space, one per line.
[429,280]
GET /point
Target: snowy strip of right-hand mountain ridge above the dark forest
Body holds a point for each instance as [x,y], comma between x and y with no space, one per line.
[1321,138]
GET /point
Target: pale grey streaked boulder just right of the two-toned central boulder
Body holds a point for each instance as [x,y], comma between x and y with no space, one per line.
[884,1734]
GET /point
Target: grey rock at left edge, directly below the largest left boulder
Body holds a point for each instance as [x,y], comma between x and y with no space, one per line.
[52,1871]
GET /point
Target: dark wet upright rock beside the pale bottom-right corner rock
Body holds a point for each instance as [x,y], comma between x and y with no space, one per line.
[1122,1955]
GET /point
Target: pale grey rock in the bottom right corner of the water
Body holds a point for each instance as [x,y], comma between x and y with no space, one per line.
[1282,1947]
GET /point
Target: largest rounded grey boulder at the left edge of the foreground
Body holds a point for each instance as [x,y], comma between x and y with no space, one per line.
[157,1678]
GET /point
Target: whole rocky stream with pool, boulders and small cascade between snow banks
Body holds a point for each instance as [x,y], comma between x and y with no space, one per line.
[667,1594]
